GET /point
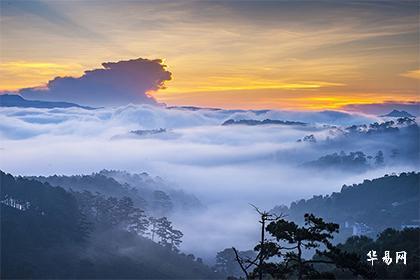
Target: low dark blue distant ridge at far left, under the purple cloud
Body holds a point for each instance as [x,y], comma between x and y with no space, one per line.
[11,100]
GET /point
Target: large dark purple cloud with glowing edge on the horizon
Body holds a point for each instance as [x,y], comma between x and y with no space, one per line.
[117,83]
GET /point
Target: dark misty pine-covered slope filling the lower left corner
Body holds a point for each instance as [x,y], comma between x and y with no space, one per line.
[46,234]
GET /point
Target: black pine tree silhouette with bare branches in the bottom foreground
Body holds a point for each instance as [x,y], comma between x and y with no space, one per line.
[281,255]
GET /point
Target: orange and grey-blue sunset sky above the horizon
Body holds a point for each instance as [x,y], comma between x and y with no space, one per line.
[304,55]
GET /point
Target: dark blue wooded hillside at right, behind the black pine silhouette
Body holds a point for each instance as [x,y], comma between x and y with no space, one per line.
[367,208]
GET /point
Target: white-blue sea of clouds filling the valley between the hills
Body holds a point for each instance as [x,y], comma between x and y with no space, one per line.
[226,167]
